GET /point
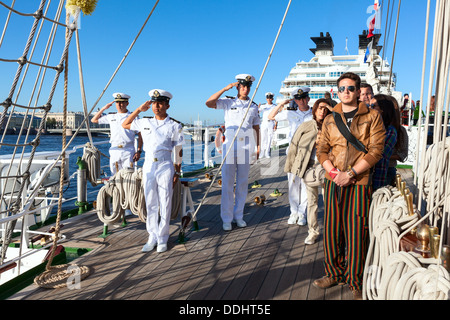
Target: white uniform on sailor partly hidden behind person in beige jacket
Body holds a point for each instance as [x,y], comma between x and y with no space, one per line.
[297,189]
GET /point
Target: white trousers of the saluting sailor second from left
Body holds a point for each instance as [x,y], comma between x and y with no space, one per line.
[158,189]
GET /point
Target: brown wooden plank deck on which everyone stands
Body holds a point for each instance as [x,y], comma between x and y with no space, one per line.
[267,260]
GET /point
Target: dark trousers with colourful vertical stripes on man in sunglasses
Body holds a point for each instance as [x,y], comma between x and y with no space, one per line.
[346,232]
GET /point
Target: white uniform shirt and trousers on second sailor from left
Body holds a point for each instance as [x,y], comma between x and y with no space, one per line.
[160,137]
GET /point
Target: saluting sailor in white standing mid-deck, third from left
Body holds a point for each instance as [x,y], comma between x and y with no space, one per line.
[237,163]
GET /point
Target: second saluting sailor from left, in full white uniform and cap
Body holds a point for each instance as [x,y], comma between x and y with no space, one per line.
[163,140]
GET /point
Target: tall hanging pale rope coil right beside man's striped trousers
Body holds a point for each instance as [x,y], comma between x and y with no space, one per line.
[389,216]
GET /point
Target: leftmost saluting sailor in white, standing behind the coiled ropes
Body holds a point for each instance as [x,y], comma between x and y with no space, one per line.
[122,151]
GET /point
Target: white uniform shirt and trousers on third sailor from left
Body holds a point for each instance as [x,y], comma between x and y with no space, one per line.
[237,163]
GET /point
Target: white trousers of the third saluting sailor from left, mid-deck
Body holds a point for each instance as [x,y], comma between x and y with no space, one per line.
[235,168]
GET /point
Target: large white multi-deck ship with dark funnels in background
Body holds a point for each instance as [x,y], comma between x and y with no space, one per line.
[323,70]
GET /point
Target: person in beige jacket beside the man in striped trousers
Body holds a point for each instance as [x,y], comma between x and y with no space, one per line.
[302,155]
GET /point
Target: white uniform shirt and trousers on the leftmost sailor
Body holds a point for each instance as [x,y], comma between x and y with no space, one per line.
[122,141]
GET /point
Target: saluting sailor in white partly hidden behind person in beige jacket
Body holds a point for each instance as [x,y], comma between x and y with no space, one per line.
[296,113]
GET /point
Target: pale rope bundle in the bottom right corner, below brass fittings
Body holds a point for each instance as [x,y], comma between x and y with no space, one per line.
[406,278]
